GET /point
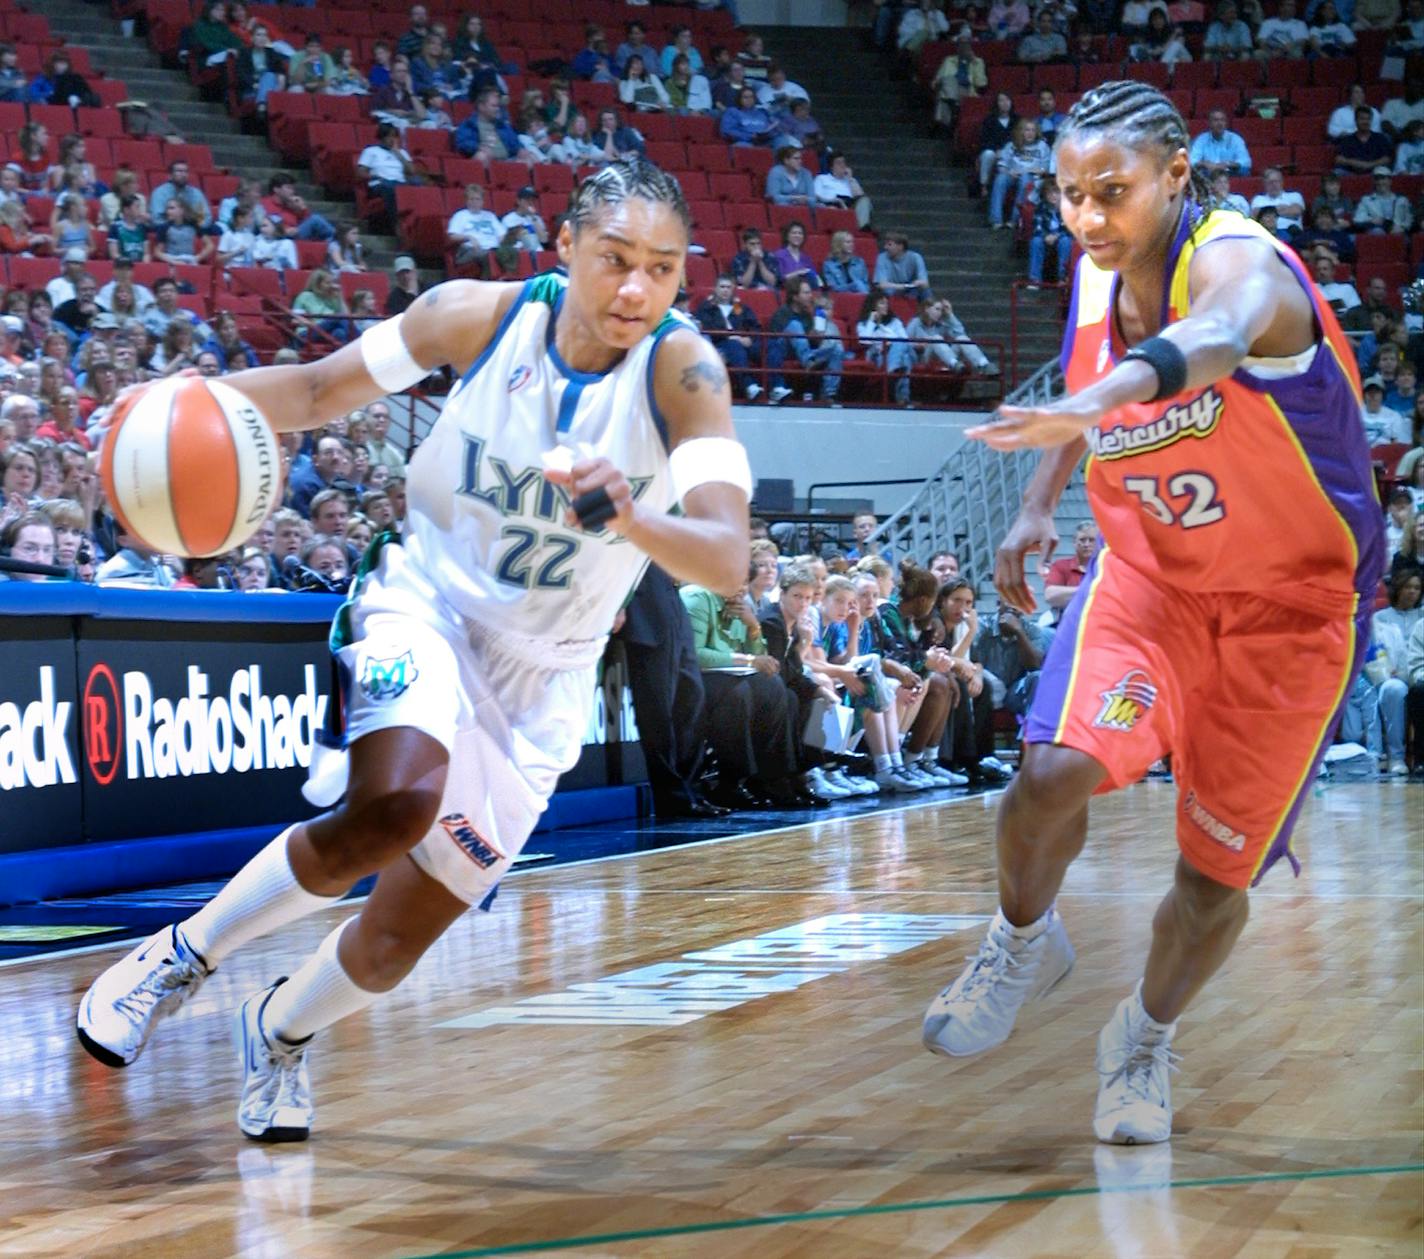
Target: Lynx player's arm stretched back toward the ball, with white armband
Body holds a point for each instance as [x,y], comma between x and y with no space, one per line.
[451,324]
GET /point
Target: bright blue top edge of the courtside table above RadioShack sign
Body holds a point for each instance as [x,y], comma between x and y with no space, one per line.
[76,600]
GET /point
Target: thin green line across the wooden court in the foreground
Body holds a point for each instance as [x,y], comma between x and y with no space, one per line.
[898,1208]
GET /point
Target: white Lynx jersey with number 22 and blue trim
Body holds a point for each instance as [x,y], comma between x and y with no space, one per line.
[485,526]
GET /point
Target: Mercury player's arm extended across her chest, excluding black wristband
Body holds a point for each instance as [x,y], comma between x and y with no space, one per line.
[1245,301]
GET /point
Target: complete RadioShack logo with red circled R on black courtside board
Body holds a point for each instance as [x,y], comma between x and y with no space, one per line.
[240,731]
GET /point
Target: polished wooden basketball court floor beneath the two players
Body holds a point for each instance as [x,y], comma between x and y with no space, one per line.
[757,1089]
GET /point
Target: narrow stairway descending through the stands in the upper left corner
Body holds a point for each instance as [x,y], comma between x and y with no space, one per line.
[197,120]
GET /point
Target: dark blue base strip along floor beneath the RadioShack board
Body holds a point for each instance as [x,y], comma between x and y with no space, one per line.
[96,868]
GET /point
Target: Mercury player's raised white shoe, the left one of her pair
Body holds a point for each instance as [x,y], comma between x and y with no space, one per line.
[978,1012]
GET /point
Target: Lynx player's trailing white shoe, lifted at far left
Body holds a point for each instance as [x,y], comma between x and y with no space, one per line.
[122,1006]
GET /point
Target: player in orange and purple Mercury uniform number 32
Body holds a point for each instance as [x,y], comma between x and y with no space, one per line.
[1220,405]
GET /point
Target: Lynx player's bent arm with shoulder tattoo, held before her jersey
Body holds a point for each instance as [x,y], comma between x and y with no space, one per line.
[707,546]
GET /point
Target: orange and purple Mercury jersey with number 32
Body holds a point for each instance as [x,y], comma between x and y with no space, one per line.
[1262,482]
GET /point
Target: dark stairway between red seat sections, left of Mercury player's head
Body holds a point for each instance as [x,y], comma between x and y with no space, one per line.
[871,112]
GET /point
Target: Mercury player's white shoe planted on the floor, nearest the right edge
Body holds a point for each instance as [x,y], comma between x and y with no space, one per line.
[1136,1063]
